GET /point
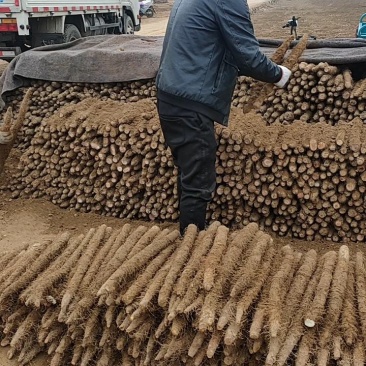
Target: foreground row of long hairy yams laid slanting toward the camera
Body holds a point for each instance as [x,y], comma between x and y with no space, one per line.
[143,296]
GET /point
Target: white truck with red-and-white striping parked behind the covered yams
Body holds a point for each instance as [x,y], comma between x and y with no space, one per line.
[26,24]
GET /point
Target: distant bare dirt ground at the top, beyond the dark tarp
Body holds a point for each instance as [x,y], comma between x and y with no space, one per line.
[322,19]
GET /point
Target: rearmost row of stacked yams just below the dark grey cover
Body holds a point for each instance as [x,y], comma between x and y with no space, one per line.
[316,93]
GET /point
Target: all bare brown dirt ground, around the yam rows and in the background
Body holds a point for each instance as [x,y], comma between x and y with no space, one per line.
[36,220]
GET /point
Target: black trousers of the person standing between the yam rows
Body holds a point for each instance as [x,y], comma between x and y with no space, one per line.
[191,139]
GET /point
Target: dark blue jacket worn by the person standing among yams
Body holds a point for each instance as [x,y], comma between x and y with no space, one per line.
[208,43]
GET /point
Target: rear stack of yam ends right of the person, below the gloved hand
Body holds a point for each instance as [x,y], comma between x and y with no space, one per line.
[316,93]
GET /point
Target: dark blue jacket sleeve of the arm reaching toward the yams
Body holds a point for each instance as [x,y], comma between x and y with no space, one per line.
[237,30]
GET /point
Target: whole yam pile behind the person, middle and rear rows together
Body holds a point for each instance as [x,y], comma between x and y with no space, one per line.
[292,160]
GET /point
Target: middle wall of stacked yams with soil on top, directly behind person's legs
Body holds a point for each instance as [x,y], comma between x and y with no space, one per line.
[303,180]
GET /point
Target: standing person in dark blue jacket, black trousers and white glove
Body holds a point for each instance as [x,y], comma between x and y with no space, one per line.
[208,43]
